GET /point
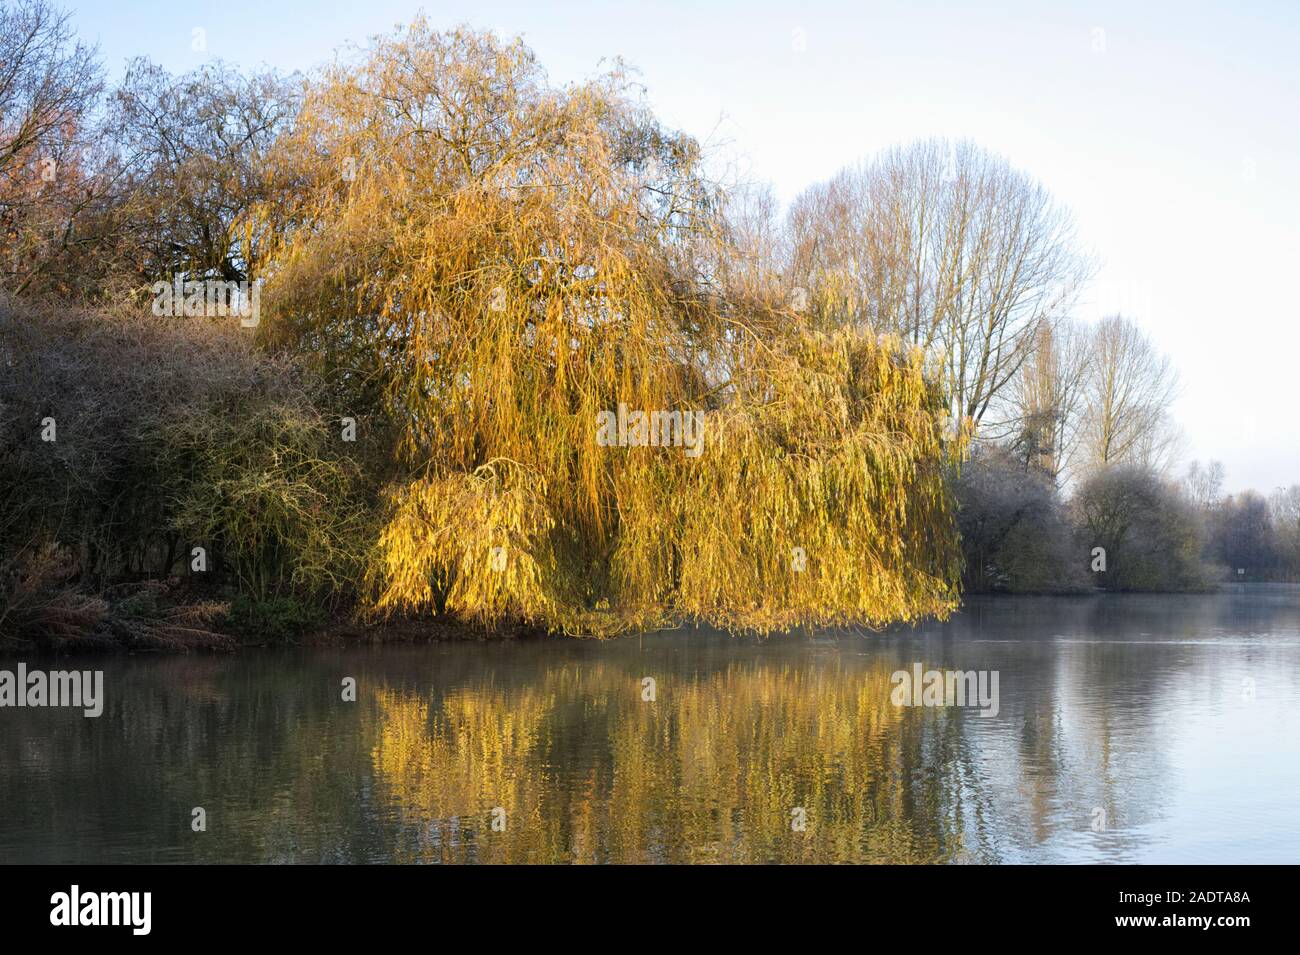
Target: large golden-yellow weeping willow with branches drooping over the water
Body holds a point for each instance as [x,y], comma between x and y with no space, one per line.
[493,271]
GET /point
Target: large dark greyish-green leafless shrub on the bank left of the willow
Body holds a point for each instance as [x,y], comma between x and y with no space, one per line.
[167,436]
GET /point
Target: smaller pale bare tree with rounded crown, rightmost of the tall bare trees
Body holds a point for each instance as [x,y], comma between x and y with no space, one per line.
[1129,392]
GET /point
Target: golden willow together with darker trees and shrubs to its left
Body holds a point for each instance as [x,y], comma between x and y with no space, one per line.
[462,270]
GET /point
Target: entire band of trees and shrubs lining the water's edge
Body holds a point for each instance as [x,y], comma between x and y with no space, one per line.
[458,268]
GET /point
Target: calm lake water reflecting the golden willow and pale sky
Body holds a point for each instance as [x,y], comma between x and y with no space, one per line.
[1169,723]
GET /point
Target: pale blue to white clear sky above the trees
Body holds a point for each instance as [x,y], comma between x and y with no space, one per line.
[1171,129]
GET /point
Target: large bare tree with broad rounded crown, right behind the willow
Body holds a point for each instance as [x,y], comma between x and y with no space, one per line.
[950,248]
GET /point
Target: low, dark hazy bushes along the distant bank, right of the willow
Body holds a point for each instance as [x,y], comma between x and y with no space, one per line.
[1125,527]
